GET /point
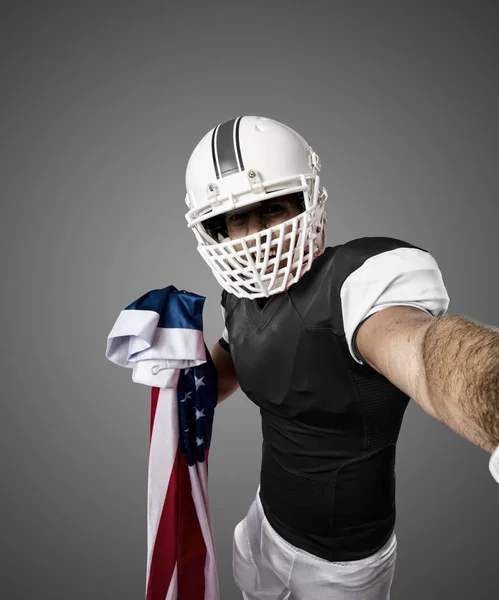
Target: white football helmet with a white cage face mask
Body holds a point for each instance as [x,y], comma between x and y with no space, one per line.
[246,161]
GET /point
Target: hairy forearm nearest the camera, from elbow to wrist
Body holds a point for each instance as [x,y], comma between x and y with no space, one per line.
[461,363]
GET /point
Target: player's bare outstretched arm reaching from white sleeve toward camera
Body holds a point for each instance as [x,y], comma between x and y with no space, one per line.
[449,365]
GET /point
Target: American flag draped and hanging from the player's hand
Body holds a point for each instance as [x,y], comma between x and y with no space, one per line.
[160,337]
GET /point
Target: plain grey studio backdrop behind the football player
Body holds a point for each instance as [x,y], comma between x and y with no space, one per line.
[102,103]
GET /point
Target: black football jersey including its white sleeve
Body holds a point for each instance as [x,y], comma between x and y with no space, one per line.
[330,422]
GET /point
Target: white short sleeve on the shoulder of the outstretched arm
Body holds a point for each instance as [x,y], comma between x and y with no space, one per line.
[398,277]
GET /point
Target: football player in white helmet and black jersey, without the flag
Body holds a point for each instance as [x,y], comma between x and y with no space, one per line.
[330,343]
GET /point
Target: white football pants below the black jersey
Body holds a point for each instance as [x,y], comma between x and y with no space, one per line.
[267,567]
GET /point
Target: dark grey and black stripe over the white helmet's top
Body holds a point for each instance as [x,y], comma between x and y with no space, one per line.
[226,151]
